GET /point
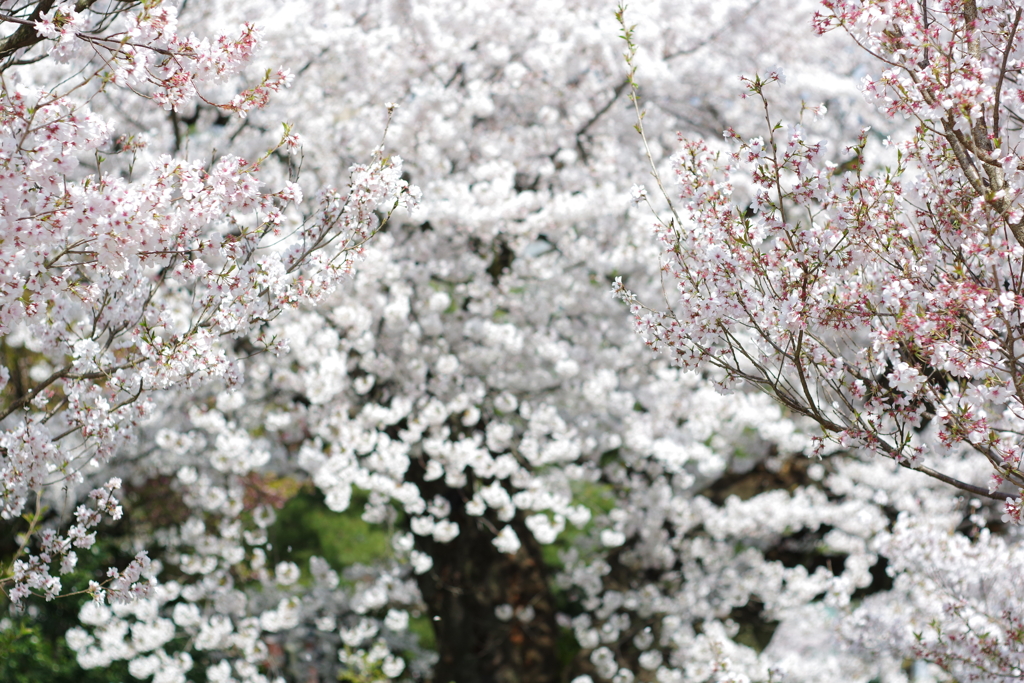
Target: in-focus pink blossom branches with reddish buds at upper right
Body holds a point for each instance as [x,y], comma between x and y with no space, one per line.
[883,306]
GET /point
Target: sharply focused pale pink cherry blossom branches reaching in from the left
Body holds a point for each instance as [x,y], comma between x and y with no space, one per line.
[116,287]
